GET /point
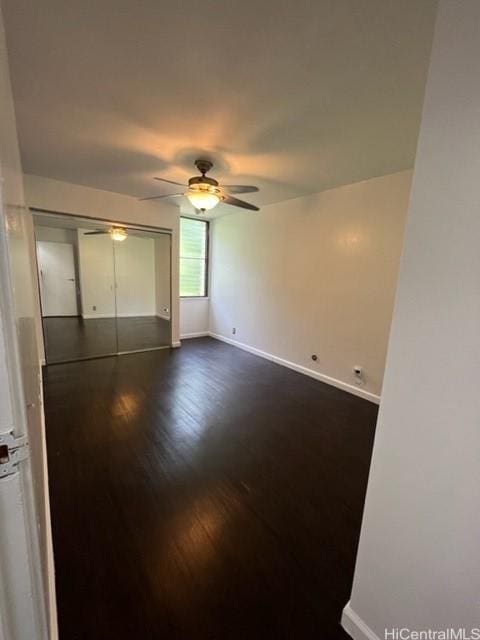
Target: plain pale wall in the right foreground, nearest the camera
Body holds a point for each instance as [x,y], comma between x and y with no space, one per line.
[418,558]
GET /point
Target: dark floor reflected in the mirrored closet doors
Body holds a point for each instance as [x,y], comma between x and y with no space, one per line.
[72,337]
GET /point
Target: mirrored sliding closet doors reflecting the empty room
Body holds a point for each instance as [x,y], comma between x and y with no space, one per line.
[105,288]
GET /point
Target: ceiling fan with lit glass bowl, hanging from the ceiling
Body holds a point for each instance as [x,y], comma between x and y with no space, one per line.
[205,193]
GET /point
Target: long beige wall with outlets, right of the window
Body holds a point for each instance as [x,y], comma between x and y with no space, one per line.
[314,275]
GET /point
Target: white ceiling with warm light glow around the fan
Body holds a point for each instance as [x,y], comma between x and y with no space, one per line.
[293,96]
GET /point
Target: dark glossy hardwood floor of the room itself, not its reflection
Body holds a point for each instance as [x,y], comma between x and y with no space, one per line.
[203,492]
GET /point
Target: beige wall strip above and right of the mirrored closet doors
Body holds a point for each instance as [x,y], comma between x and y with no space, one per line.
[62,197]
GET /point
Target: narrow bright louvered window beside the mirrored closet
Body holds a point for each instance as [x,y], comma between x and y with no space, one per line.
[193,258]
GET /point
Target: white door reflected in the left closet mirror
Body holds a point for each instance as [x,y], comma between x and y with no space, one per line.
[58,290]
